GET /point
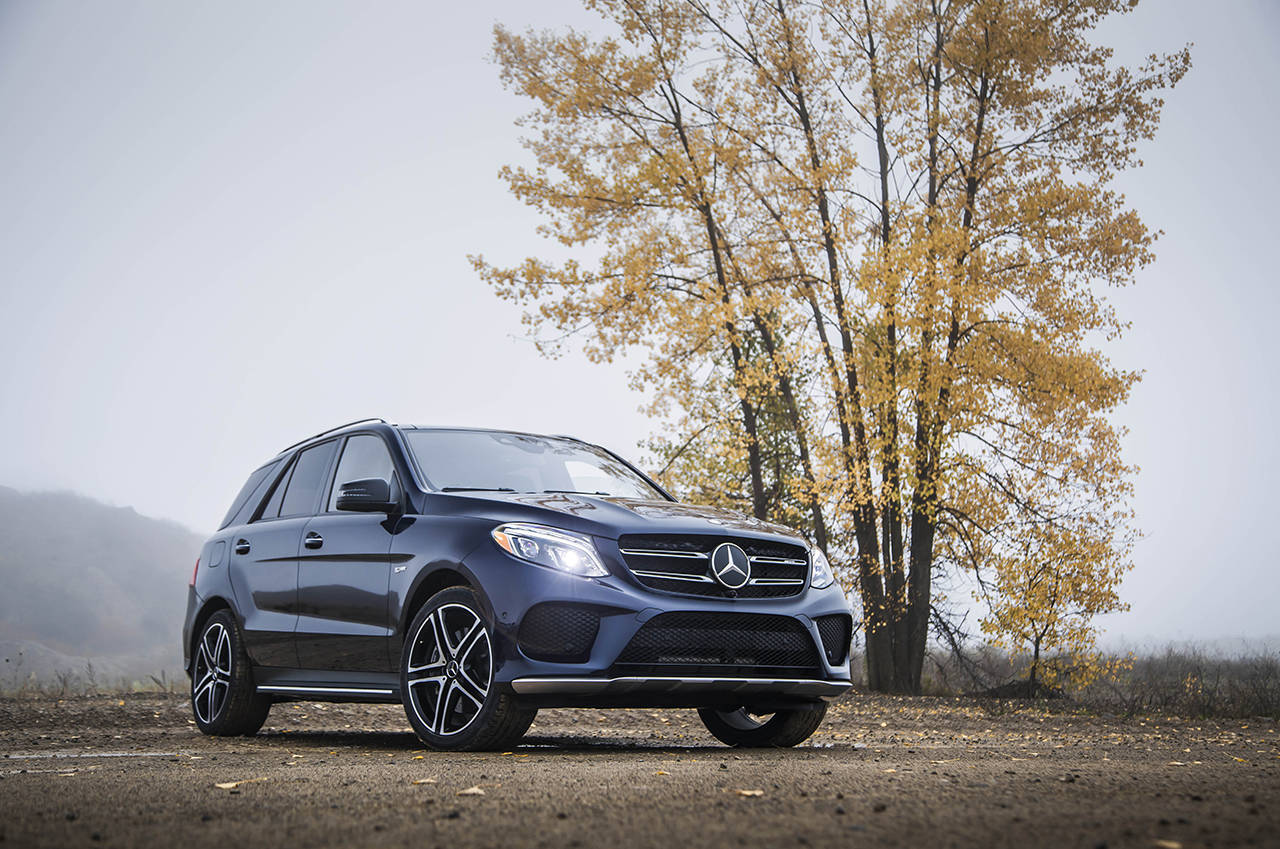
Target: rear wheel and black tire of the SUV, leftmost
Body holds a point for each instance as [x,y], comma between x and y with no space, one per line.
[225,700]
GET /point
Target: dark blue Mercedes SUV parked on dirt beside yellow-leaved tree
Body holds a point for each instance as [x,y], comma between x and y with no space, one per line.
[479,576]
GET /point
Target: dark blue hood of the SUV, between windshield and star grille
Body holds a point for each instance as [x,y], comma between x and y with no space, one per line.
[611,517]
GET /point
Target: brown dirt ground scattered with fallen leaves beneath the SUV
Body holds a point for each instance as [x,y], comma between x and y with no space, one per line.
[883,772]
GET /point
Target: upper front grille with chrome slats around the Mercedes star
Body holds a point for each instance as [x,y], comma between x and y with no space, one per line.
[682,564]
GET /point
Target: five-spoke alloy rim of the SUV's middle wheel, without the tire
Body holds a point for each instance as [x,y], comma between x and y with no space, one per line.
[450,669]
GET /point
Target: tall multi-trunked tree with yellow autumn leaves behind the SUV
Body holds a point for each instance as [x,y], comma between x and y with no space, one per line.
[866,247]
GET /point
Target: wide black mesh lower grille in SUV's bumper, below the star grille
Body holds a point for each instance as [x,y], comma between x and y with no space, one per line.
[732,645]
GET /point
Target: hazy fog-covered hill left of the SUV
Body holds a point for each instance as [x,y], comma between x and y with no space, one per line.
[84,581]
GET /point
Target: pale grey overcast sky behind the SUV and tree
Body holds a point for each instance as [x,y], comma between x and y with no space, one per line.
[227,226]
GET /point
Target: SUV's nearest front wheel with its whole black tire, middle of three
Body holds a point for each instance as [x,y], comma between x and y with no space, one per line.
[474,716]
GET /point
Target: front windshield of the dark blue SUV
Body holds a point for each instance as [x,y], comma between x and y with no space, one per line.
[478,460]
